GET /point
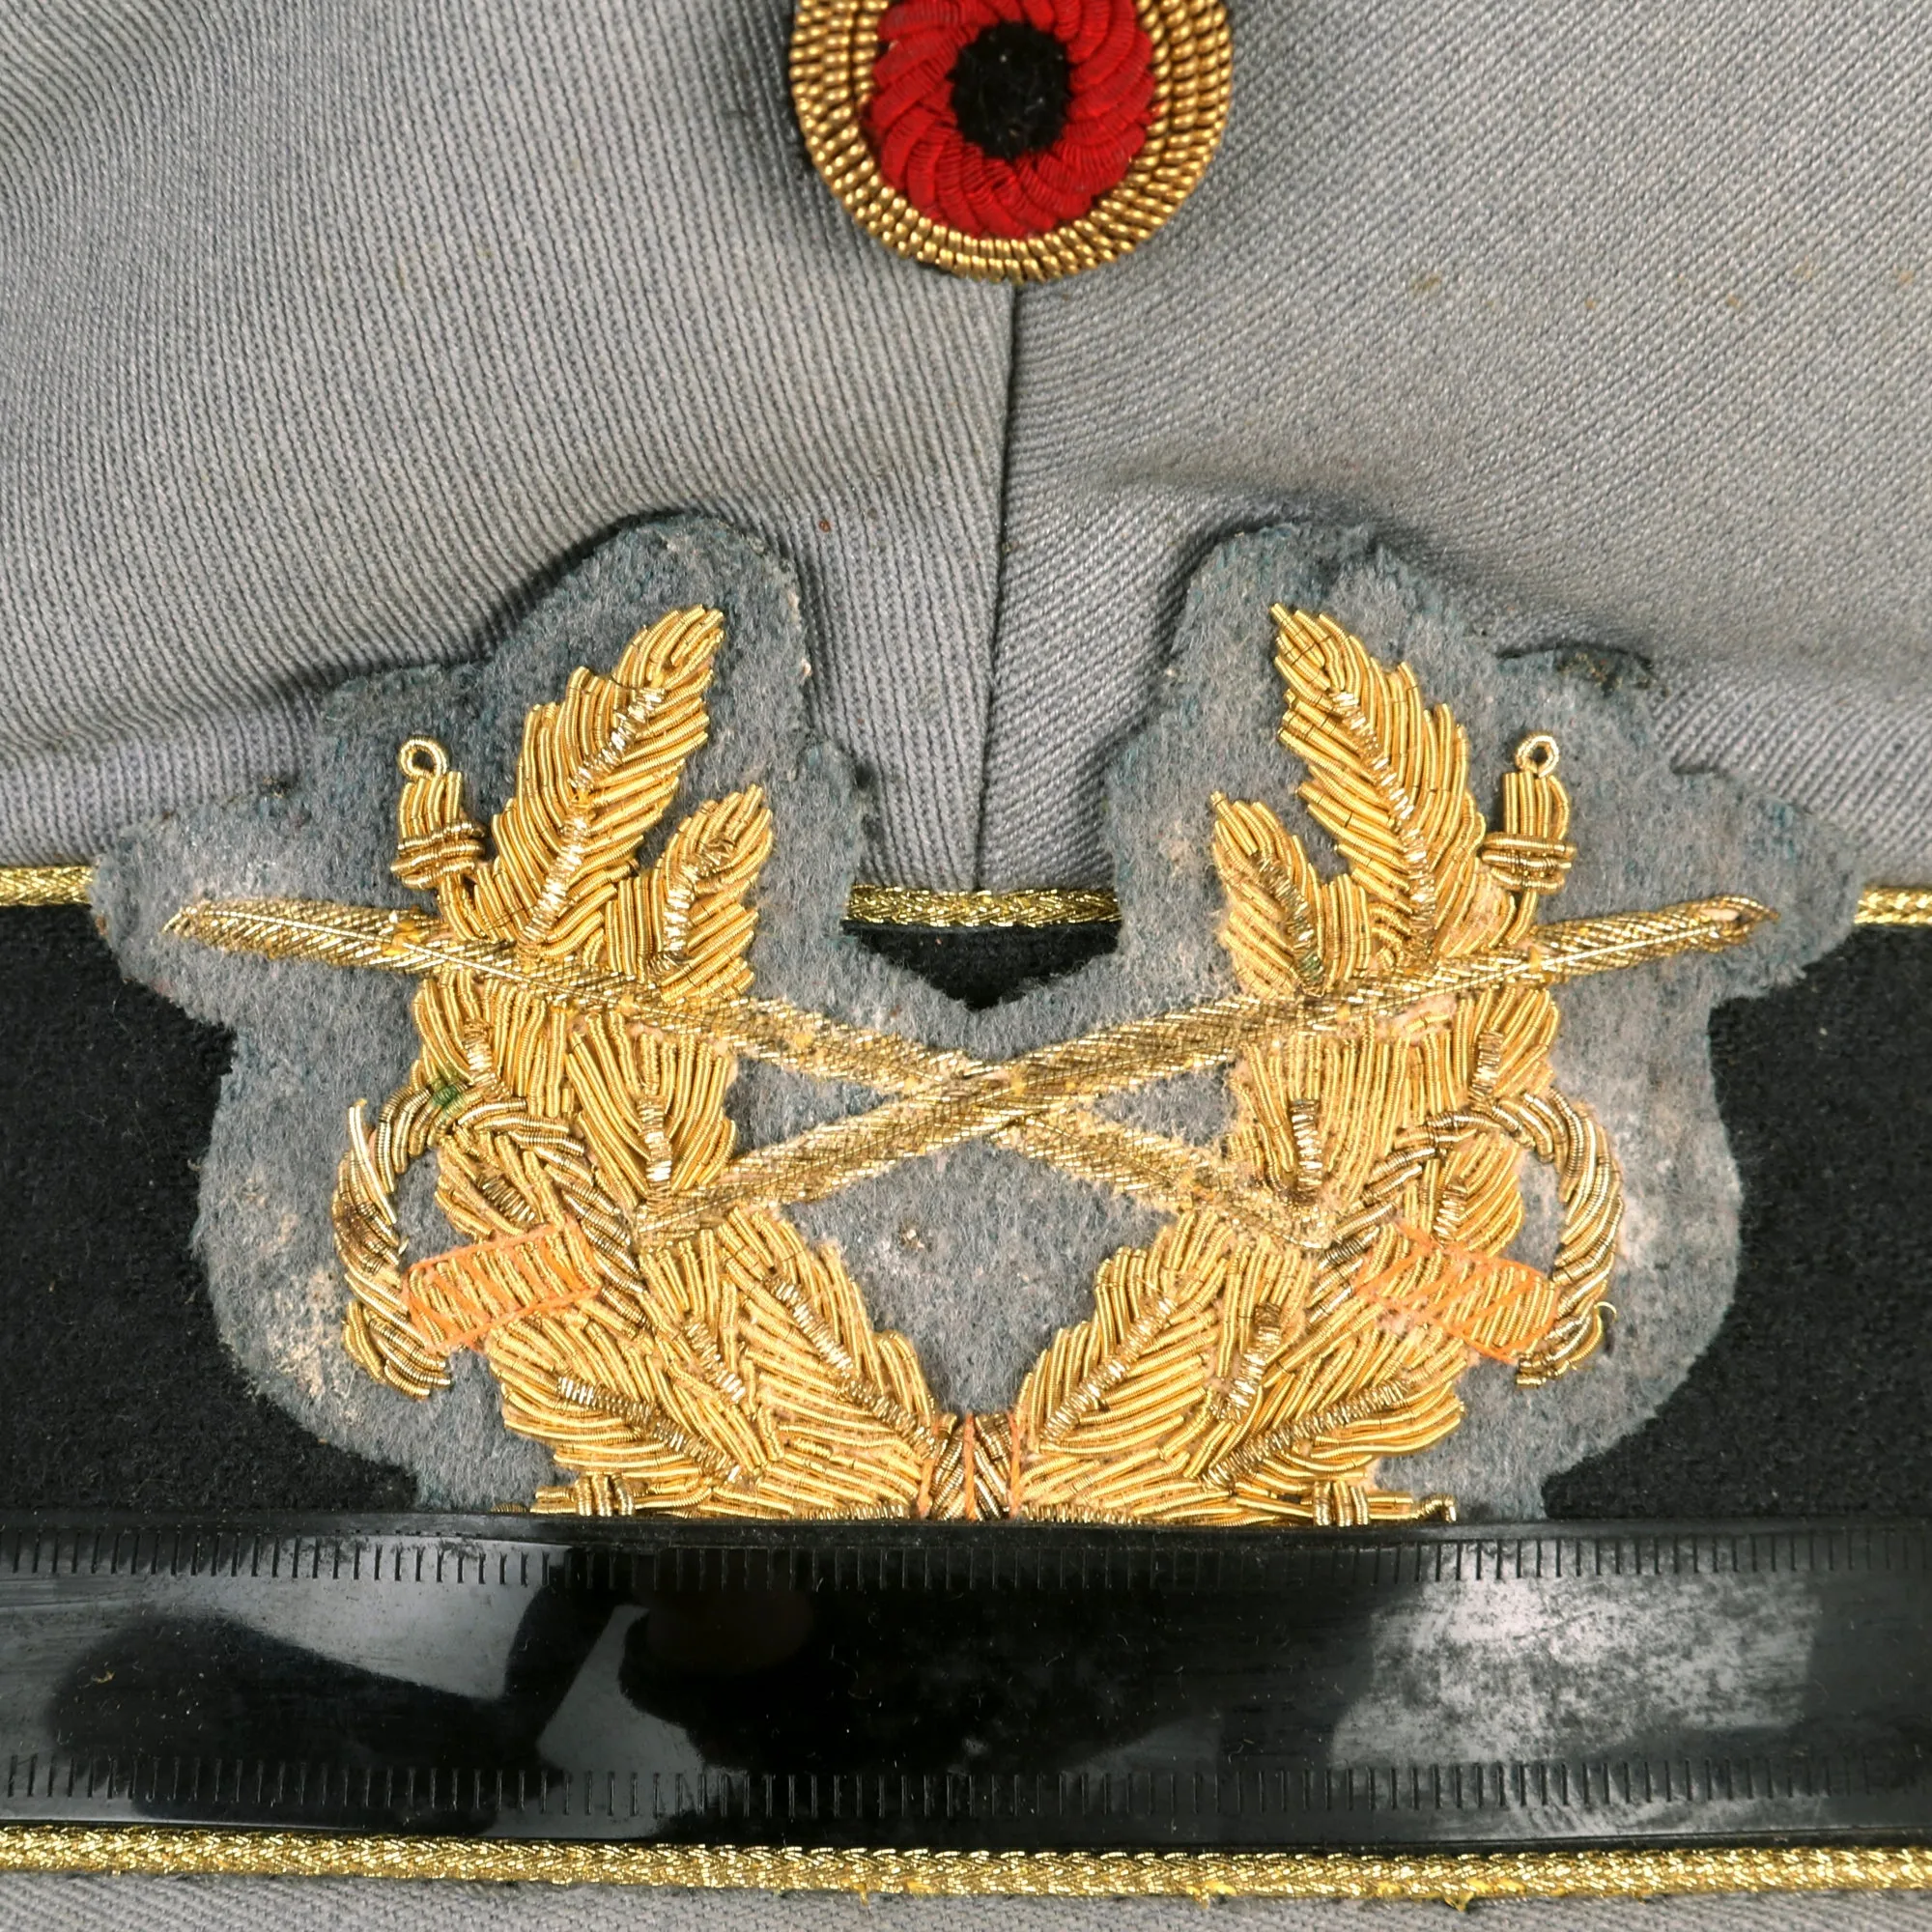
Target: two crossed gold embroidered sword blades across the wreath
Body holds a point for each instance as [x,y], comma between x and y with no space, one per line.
[950,1098]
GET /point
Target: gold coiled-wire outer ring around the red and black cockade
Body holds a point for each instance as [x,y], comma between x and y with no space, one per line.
[834,49]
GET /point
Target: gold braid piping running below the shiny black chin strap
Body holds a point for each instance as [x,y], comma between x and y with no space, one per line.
[1450,1877]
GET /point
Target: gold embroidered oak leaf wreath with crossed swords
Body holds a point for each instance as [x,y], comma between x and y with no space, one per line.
[658,1322]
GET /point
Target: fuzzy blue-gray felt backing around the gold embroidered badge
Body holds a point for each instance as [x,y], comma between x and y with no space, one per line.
[977,1255]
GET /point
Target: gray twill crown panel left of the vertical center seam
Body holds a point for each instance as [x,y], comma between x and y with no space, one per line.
[333,329]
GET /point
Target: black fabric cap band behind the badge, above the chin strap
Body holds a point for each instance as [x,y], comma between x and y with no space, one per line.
[117,1390]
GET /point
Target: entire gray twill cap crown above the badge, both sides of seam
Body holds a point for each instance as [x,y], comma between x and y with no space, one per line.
[329,329]
